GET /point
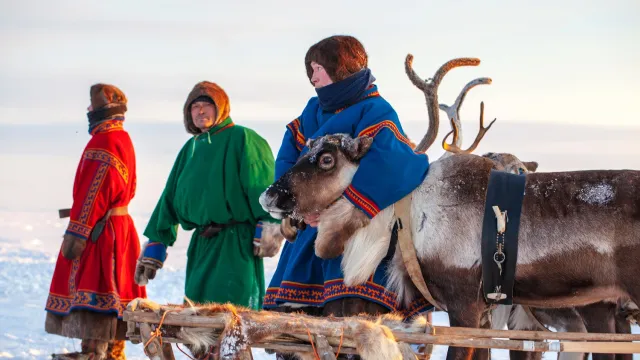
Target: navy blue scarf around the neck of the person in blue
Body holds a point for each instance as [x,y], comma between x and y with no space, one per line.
[345,92]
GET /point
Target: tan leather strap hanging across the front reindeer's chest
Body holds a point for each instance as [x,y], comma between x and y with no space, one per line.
[405,243]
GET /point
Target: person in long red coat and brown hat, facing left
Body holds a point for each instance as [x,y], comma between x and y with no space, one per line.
[93,279]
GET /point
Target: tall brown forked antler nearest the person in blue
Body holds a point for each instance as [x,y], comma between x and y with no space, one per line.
[430,89]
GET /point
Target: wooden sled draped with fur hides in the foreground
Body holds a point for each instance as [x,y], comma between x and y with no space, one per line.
[157,327]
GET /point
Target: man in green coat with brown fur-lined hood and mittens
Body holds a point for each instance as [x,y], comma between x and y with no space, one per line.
[213,188]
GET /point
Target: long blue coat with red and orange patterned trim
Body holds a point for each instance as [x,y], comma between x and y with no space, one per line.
[390,165]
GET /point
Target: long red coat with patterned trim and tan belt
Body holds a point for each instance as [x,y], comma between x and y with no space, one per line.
[102,278]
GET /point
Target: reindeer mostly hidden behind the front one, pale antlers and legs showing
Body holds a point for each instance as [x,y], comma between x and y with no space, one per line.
[599,317]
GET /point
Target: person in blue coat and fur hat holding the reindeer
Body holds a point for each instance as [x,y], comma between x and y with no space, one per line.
[347,101]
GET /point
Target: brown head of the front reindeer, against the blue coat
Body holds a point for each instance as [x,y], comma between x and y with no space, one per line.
[318,178]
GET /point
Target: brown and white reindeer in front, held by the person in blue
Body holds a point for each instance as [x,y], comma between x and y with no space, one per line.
[579,233]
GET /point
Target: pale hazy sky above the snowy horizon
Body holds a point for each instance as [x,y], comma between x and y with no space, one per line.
[570,62]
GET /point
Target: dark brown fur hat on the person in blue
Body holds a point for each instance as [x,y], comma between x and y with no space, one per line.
[340,55]
